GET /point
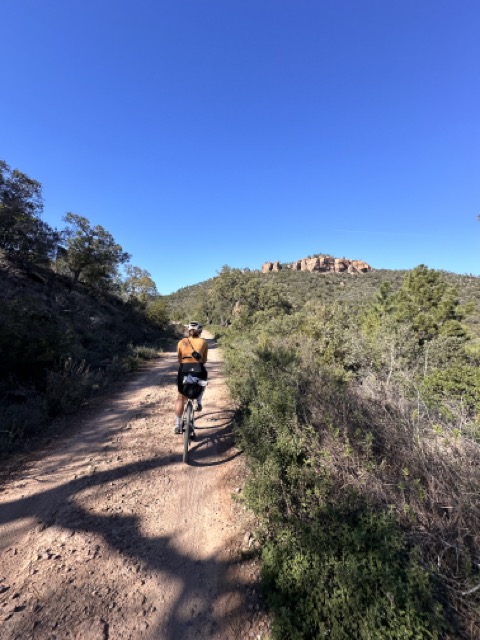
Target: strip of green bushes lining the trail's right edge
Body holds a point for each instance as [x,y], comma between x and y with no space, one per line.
[336,570]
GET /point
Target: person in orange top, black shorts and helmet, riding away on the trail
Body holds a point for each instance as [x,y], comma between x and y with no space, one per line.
[190,350]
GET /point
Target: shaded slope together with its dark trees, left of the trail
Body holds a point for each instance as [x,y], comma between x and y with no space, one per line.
[70,320]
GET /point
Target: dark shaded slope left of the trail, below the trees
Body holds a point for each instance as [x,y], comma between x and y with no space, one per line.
[58,341]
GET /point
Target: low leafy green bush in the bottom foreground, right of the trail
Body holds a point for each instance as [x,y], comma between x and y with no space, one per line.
[348,574]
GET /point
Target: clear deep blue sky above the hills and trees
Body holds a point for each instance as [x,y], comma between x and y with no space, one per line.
[238,131]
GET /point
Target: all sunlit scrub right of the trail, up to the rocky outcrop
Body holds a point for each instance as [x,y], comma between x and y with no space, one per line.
[359,413]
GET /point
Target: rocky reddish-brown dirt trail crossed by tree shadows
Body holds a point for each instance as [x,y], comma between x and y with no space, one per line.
[110,536]
